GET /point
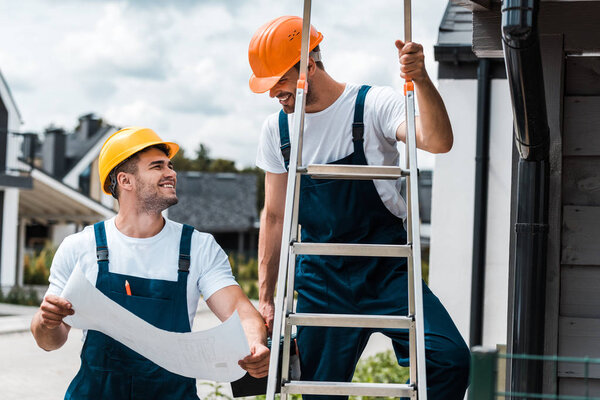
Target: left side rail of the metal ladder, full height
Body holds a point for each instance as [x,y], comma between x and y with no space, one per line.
[291,206]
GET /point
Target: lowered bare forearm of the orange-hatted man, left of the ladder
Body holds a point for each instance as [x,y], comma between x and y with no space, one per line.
[269,246]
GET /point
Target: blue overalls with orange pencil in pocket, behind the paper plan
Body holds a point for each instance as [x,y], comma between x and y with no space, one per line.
[109,369]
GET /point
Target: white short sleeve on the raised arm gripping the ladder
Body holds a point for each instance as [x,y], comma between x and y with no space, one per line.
[389,110]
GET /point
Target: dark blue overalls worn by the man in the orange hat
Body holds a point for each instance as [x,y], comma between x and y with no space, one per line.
[344,211]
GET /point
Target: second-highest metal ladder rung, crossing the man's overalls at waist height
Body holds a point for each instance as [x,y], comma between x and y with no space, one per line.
[353,249]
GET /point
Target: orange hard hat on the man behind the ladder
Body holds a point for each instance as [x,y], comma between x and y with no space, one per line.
[275,48]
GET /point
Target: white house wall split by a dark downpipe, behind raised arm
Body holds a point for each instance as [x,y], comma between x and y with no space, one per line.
[453,208]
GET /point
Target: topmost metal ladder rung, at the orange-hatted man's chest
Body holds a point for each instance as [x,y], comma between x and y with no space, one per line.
[355,172]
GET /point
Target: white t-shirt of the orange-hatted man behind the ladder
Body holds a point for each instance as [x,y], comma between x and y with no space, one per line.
[328,138]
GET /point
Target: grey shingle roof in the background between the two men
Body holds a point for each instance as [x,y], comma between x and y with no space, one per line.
[216,202]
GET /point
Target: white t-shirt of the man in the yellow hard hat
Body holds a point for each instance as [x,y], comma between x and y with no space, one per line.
[155,257]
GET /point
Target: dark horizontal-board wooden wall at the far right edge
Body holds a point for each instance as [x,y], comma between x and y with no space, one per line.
[579,314]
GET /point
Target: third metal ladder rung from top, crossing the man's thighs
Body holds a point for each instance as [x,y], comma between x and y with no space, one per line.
[350,320]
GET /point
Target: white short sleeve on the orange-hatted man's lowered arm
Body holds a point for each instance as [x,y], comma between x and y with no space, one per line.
[268,156]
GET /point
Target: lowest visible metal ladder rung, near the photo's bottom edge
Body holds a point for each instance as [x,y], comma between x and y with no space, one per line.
[348,388]
